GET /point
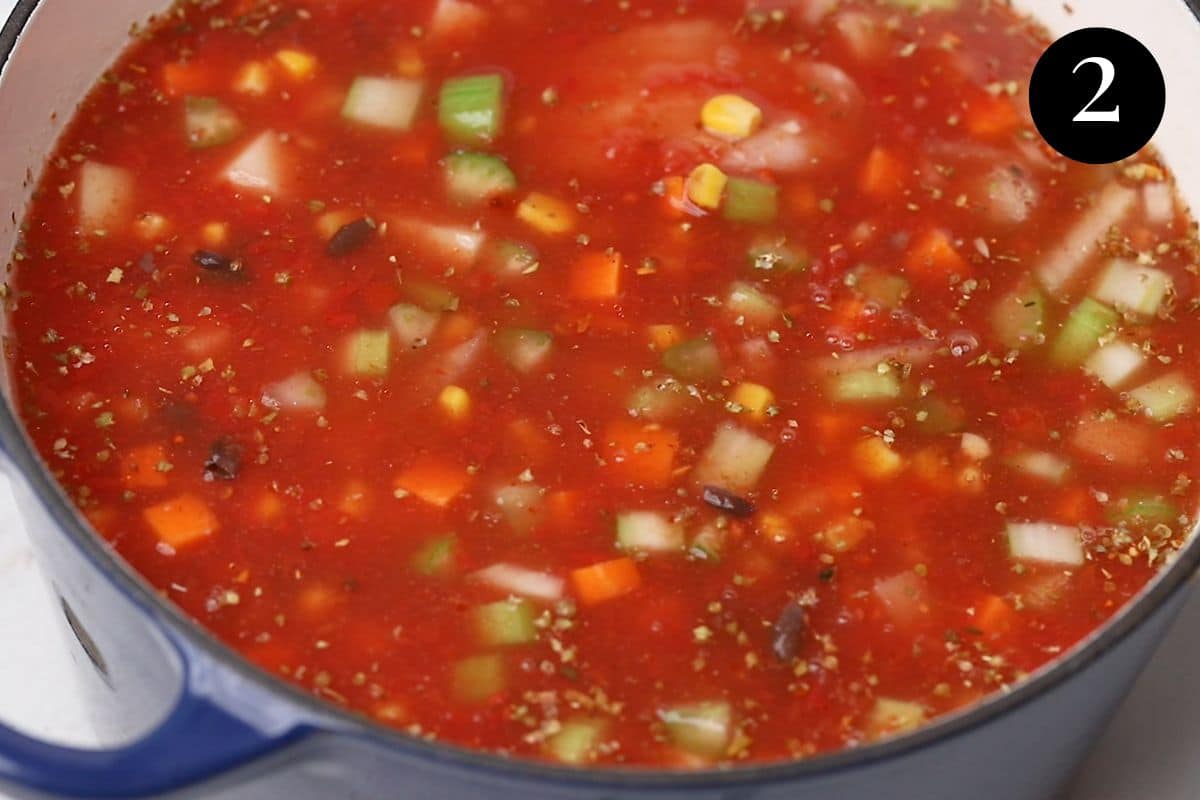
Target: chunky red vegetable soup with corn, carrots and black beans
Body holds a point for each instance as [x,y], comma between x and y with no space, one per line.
[567,414]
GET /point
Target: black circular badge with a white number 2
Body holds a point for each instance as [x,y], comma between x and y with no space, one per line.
[1097,95]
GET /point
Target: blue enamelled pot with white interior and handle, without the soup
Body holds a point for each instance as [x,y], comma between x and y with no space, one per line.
[193,720]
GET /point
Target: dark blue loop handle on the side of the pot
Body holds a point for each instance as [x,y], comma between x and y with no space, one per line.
[197,741]
